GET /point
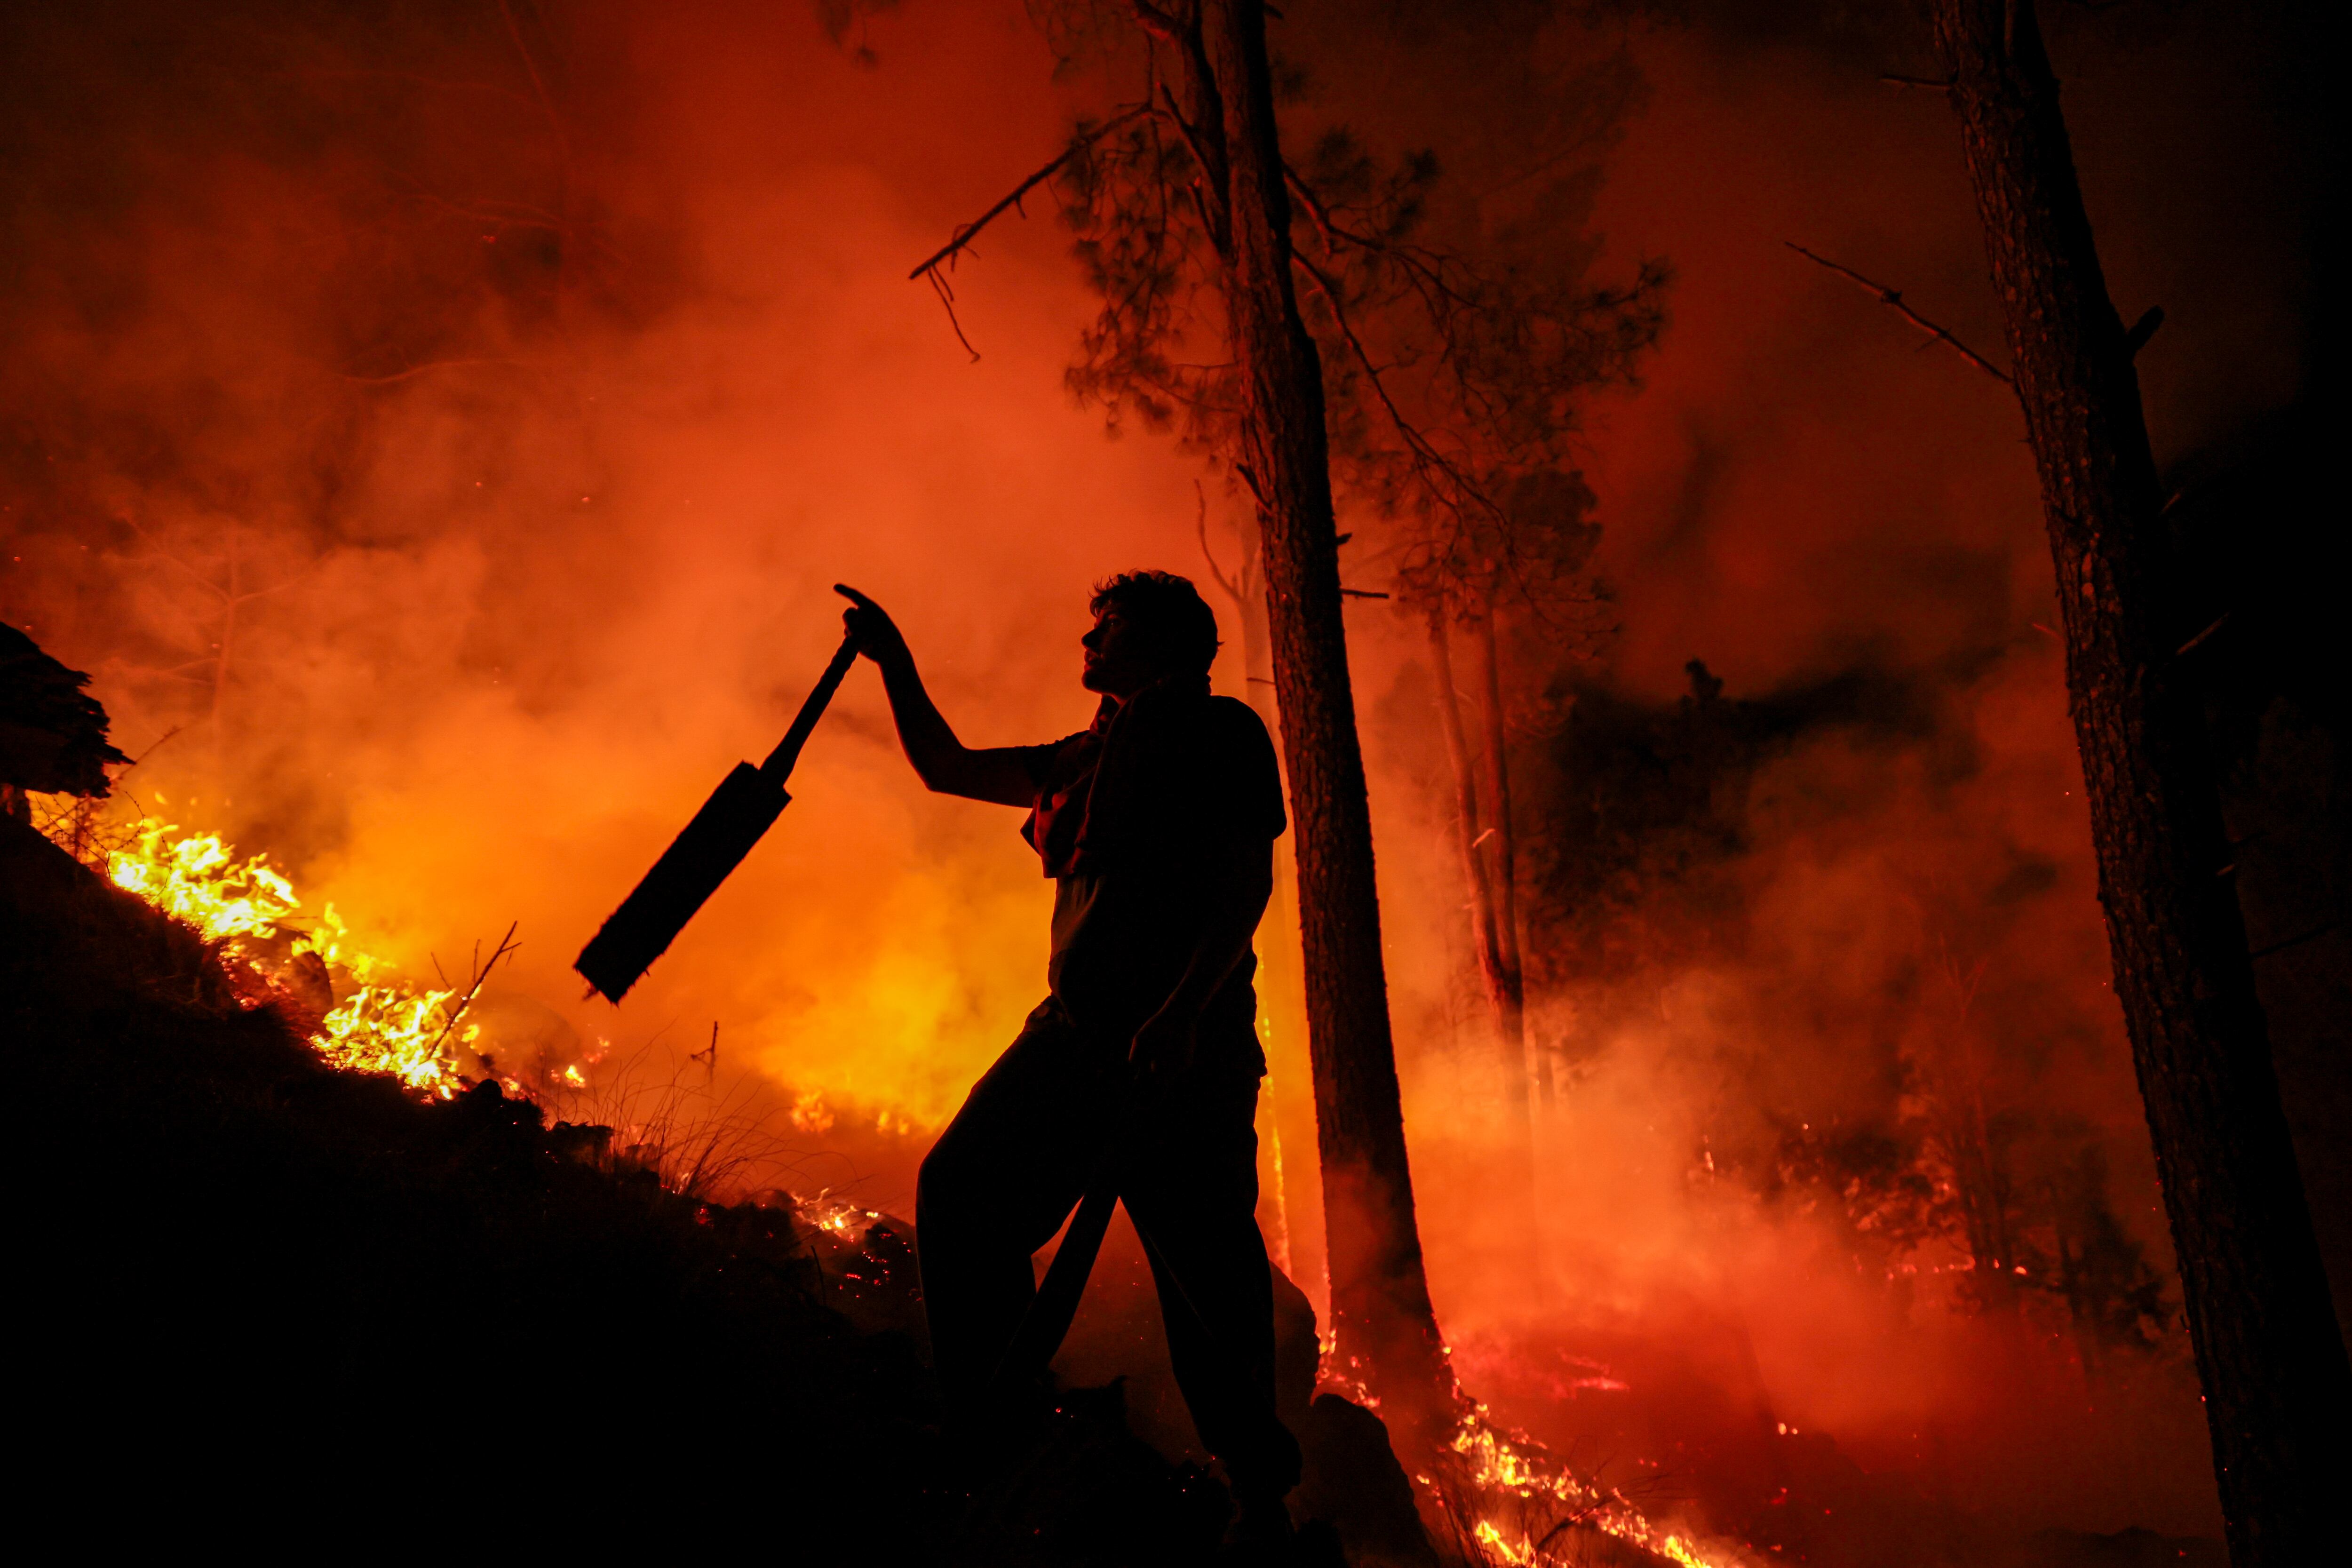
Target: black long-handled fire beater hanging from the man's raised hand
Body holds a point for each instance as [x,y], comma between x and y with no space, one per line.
[697,862]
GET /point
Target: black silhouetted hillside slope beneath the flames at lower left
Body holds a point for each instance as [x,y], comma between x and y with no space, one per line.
[274,1306]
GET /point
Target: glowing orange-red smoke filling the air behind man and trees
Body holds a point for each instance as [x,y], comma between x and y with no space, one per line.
[439,434]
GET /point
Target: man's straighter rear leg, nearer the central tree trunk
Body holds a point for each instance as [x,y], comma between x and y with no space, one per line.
[1194,1195]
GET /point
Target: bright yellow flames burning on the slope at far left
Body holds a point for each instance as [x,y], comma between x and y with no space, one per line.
[385,1026]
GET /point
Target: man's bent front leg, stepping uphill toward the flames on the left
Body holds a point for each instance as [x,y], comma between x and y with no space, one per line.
[996,1188]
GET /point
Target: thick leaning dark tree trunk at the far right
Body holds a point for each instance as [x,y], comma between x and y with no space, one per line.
[2259,1311]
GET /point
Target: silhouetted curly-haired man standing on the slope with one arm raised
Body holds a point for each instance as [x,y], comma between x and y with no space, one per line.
[1158,826]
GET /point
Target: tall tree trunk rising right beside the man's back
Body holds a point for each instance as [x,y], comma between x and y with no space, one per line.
[1379,1292]
